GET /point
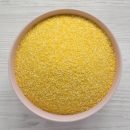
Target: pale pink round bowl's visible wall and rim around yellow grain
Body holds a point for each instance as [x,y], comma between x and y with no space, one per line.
[45,114]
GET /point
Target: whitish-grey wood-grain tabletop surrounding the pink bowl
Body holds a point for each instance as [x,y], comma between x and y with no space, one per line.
[15,14]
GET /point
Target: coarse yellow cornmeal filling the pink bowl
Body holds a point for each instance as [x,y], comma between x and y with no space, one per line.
[65,64]
